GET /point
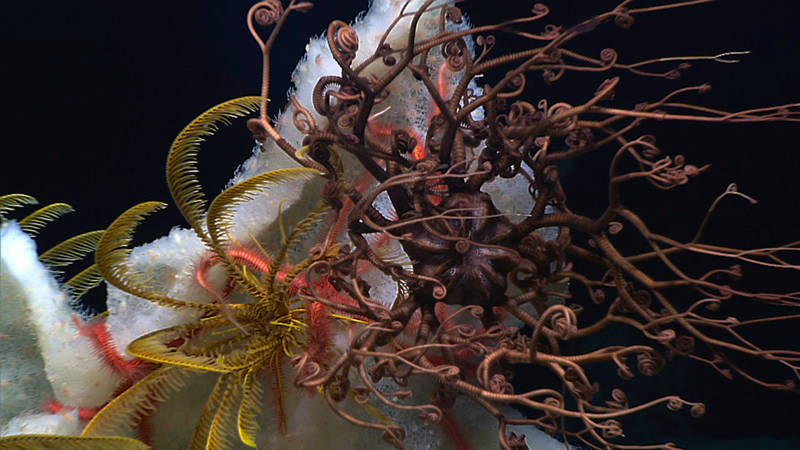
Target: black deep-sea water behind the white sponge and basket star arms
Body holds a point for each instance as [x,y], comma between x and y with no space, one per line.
[94,93]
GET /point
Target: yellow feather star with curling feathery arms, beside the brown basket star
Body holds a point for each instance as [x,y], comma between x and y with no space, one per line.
[238,341]
